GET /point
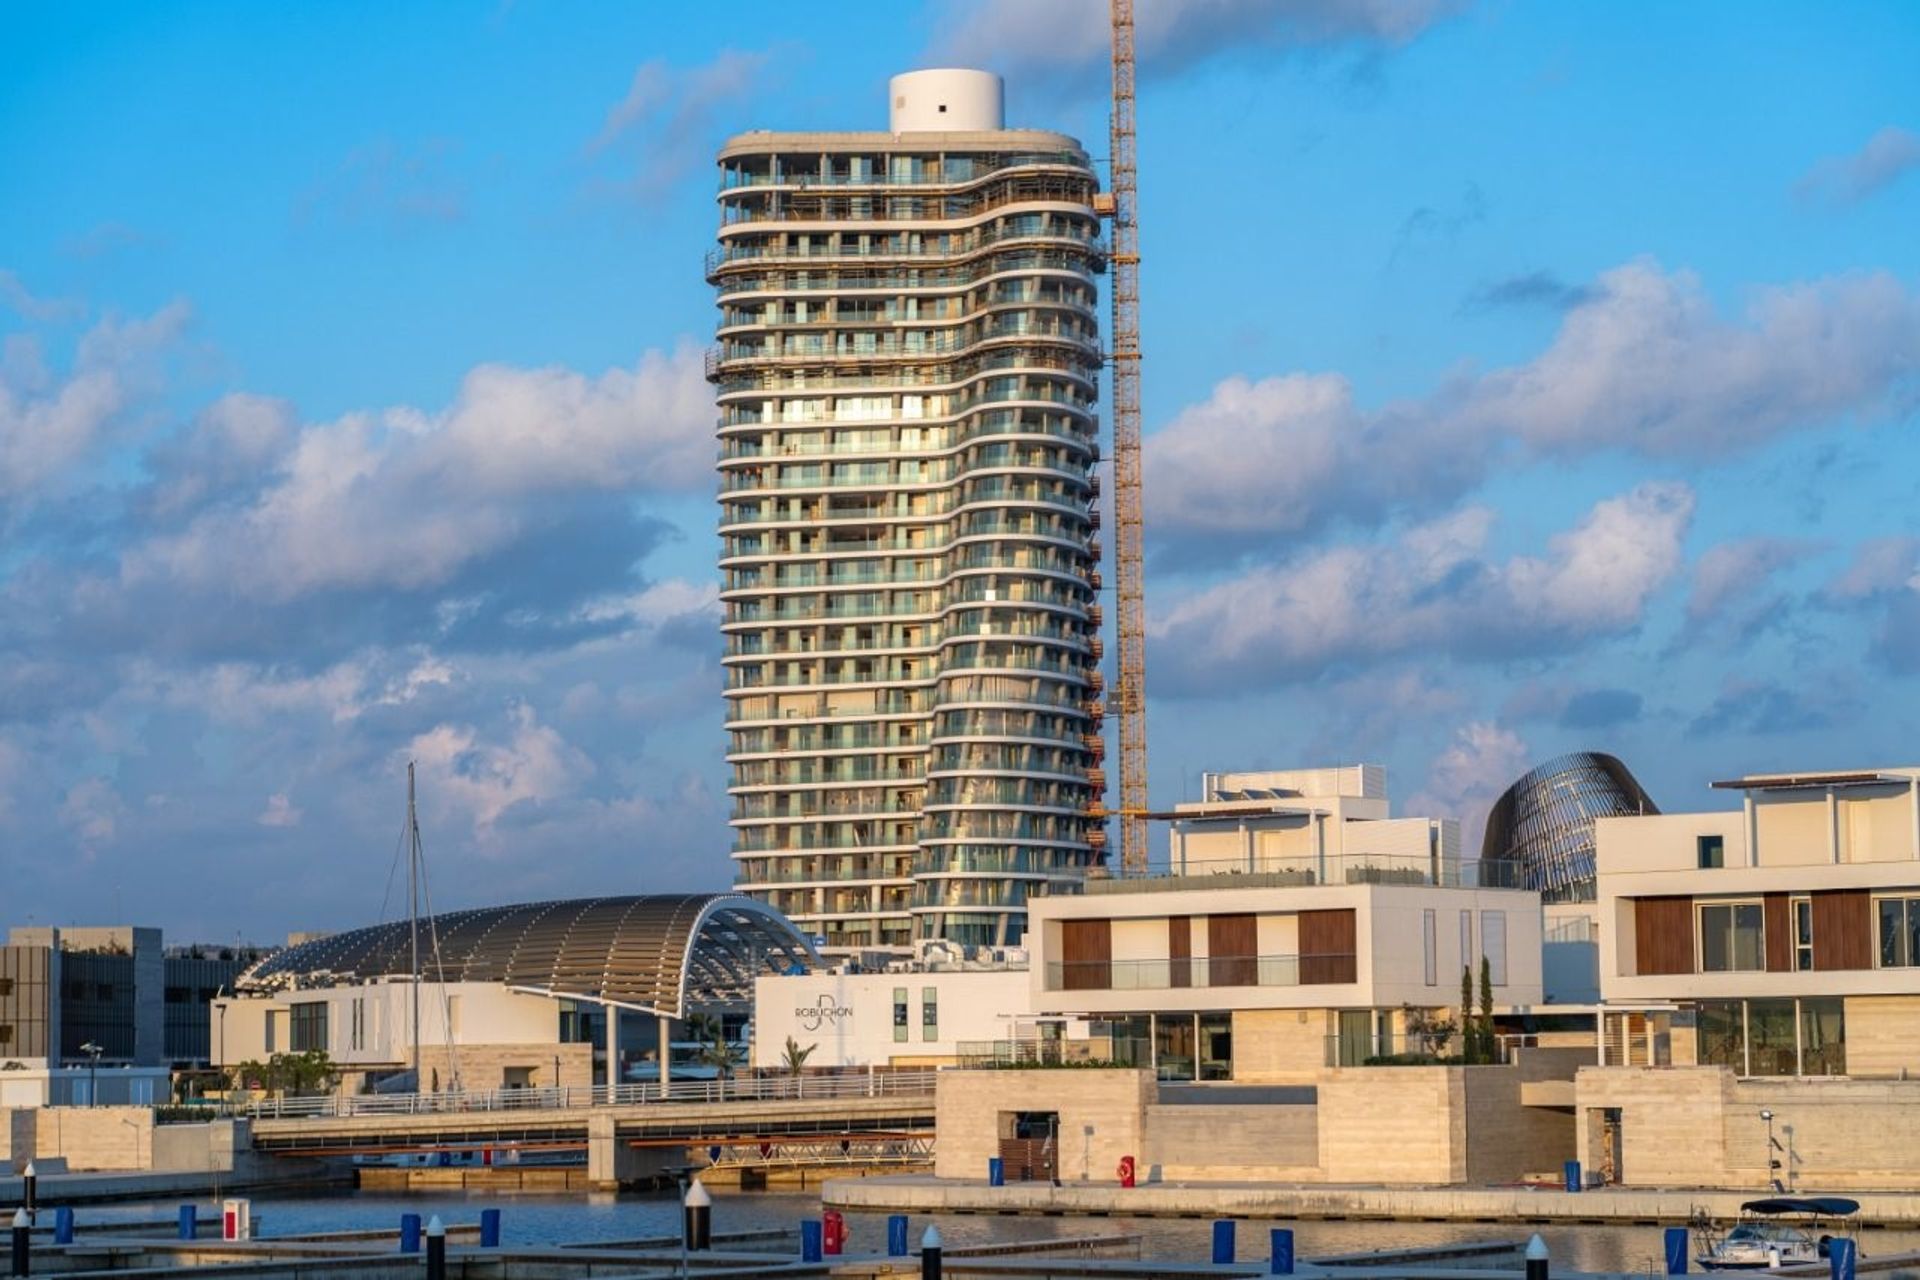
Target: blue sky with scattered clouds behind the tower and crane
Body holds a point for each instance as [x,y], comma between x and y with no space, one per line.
[1520,379]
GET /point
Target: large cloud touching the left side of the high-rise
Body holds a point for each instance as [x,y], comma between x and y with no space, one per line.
[404,500]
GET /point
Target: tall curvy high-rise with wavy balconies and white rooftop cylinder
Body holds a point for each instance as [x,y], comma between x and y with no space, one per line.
[907,373]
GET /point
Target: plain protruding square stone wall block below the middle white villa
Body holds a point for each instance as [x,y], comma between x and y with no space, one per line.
[1393,1126]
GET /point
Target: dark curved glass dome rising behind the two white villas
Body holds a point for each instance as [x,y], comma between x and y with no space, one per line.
[1541,832]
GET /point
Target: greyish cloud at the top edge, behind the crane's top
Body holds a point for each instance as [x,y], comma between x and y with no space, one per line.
[1172,34]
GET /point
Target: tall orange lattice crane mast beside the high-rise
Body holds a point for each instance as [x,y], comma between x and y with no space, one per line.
[1130,571]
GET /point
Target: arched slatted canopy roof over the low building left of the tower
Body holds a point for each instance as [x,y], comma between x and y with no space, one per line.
[671,955]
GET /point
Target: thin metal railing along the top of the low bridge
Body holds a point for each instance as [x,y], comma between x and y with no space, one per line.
[742,1089]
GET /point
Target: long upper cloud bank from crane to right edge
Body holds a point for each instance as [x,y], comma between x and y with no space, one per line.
[1646,366]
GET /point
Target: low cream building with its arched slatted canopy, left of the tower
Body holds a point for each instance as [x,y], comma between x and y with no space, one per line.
[592,991]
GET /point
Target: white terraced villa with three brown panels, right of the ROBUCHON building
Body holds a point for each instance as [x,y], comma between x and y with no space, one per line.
[1295,928]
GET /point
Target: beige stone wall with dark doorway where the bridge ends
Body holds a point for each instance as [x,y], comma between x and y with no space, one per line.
[1103,1116]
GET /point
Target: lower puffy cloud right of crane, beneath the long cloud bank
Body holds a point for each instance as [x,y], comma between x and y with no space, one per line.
[1431,592]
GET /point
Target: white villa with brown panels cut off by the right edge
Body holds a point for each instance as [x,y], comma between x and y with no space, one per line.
[1781,939]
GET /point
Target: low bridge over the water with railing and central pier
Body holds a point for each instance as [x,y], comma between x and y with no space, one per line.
[631,1131]
